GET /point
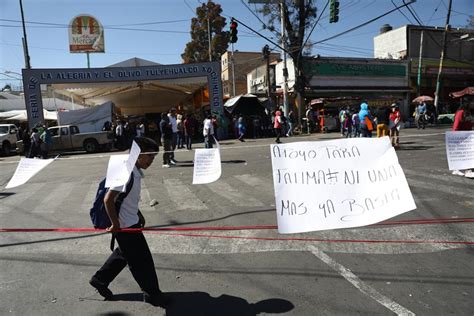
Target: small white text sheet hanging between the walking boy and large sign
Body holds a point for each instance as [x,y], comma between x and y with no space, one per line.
[207,165]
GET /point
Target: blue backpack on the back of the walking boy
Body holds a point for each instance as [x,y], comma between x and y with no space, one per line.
[100,218]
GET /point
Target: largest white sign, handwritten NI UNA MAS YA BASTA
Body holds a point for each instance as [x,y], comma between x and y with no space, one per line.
[337,184]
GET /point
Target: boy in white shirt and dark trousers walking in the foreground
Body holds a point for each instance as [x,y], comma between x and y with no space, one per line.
[132,248]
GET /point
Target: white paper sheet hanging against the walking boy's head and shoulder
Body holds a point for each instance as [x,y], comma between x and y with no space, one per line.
[121,166]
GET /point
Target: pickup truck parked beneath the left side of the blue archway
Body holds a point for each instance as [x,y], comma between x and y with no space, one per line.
[68,137]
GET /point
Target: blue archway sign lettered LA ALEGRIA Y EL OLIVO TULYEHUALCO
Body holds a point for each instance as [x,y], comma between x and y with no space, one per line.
[34,78]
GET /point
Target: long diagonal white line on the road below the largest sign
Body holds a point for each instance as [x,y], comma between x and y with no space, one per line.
[361,286]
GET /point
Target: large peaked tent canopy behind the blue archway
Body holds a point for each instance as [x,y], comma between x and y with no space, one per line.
[136,97]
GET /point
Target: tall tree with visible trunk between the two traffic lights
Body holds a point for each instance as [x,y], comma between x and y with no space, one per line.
[299,16]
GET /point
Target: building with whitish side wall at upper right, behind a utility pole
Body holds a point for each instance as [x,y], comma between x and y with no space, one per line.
[409,42]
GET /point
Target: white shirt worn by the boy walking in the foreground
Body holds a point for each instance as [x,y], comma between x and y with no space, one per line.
[128,214]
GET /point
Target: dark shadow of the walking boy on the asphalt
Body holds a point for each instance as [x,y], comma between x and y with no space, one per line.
[201,303]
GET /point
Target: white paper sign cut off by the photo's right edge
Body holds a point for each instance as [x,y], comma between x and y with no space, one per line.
[460,149]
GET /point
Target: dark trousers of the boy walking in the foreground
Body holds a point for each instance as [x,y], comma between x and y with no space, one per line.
[132,250]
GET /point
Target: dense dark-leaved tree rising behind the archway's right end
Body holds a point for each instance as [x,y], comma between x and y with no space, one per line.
[197,50]
